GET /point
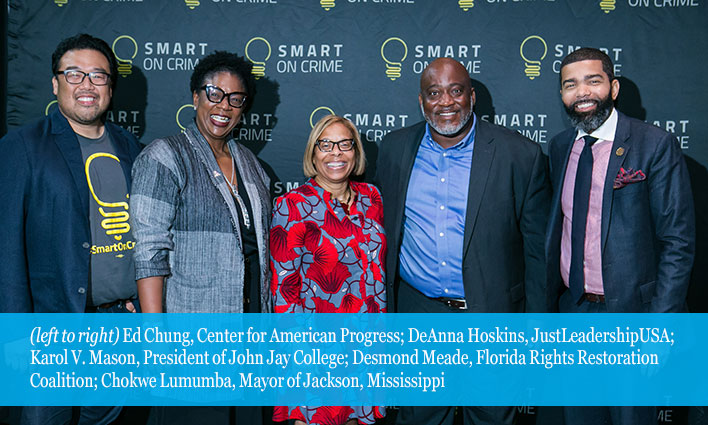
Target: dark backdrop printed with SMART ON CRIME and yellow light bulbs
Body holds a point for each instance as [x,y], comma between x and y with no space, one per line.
[363,59]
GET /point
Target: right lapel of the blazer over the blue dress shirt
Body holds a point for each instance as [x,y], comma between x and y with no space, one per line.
[482,158]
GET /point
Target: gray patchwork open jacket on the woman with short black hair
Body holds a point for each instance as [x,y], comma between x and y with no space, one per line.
[185,223]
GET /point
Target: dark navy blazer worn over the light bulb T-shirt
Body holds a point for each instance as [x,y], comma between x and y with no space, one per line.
[45,236]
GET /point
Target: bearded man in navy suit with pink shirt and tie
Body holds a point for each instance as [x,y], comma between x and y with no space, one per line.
[621,231]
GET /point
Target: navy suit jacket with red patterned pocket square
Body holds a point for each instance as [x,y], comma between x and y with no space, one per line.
[648,227]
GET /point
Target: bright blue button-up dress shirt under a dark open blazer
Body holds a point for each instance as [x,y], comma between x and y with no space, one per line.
[434,225]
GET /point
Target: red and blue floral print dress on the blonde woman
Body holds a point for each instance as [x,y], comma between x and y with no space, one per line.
[327,257]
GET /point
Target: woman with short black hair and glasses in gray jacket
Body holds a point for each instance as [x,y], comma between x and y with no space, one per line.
[200,205]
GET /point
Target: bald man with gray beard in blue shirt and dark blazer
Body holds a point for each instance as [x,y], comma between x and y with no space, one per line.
[465,210]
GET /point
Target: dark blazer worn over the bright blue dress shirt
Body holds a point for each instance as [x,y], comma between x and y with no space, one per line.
[507,208]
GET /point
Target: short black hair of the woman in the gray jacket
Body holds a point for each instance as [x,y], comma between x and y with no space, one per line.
[222,61]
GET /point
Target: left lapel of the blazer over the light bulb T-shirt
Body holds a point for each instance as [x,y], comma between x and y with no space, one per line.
[68,145]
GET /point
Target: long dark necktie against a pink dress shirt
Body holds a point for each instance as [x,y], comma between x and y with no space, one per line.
[581,199]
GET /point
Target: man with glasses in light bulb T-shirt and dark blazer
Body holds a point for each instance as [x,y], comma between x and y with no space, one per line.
[64,181]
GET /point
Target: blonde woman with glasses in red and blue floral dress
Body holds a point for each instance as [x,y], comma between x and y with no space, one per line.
[328,248]
